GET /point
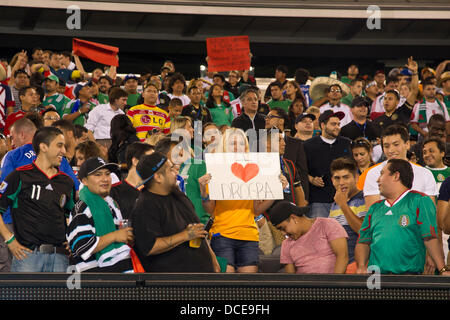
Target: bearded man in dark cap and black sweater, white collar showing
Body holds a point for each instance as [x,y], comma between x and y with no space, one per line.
[320,152]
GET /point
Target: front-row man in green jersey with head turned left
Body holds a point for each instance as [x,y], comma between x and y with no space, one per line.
[398,231]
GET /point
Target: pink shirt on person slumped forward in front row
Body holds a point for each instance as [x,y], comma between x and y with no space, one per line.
[312,253]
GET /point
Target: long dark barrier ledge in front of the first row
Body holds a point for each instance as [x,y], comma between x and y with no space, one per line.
[214,287]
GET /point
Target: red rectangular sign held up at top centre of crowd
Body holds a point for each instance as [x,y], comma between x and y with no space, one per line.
[228,53]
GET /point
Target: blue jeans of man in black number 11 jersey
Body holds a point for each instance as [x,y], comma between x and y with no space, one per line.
[41,262]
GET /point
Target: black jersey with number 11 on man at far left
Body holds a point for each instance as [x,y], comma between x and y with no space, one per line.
[39,205]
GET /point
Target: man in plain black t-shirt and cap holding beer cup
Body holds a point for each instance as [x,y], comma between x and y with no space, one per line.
[165,222]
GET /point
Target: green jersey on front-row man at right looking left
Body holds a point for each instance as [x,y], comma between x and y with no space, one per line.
[396,232]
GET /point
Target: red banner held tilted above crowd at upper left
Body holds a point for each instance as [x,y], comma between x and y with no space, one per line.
[97,52]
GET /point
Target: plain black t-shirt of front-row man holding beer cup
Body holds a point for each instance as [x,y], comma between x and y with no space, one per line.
[156,216]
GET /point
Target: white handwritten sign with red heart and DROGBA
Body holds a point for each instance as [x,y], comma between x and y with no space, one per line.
[244,176]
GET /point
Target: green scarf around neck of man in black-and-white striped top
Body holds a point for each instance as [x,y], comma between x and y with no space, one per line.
[104,224]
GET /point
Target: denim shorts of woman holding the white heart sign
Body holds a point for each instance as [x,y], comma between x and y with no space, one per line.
[239,253]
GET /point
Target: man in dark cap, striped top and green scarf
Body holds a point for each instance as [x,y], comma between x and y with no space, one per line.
[96,238]
